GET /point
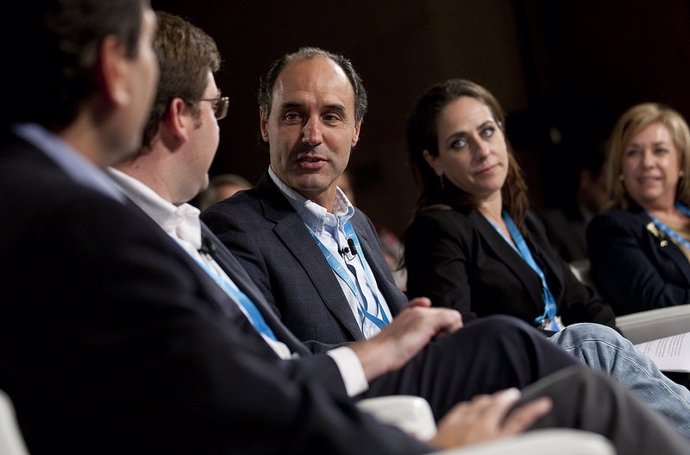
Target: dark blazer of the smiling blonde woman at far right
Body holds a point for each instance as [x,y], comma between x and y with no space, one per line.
[634,265]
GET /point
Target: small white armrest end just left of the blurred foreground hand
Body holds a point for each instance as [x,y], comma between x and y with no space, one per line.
[411,413]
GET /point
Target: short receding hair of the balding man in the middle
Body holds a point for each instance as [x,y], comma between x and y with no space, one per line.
[267,82]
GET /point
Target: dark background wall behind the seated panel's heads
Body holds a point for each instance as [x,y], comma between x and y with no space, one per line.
[563,70]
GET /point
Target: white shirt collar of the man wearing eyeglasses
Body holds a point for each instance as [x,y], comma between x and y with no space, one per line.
[180,222]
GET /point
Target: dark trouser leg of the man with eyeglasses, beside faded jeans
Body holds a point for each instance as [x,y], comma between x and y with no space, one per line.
[486,355]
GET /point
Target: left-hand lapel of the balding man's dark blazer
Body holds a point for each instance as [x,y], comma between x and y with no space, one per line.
[292,232]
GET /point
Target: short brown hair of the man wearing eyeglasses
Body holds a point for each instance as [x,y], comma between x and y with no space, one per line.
[185,56]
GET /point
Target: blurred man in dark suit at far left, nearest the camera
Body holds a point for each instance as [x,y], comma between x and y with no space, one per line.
[112,338]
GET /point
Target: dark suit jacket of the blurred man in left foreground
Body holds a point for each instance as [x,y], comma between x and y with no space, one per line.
[113,340]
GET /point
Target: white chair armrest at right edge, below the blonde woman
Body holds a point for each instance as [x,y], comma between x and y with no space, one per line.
[653,324]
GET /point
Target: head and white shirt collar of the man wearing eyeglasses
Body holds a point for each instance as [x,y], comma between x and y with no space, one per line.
[181,136]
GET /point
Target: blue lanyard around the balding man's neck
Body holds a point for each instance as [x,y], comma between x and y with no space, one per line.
[347,278]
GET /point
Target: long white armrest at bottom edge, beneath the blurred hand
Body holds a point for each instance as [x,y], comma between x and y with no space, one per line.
[541,442]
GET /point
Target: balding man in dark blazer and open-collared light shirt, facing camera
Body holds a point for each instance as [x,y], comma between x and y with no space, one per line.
[265,227]
